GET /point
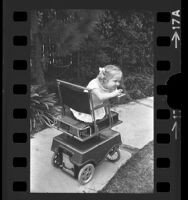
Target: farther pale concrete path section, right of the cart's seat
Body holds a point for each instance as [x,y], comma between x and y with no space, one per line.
[137,127]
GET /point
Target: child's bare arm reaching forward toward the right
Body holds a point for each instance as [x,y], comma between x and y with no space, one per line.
[105,95]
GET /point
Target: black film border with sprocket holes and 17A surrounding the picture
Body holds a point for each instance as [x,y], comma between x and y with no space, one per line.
[16,84]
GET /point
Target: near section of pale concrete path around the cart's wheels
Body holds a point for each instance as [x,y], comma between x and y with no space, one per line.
[46,178]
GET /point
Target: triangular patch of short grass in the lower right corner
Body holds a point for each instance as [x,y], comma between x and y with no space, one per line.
[136,175]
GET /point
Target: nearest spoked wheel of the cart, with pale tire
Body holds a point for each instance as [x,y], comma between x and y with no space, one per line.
[86,173]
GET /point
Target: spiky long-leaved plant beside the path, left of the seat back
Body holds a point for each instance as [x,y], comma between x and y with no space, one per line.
[43,108]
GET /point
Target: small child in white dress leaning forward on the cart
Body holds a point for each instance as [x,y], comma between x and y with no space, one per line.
[103,87]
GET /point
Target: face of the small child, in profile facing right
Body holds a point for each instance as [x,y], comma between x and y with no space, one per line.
[114,82]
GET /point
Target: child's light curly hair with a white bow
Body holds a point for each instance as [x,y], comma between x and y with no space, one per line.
[108,72]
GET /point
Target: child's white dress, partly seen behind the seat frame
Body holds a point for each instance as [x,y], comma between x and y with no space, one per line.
[100,112]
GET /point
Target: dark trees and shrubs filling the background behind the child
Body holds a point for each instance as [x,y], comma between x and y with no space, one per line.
[72,44]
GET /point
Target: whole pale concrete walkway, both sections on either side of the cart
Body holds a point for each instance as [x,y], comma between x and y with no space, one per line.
[136,131]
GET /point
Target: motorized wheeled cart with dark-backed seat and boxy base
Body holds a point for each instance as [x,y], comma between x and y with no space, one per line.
[82,146]
